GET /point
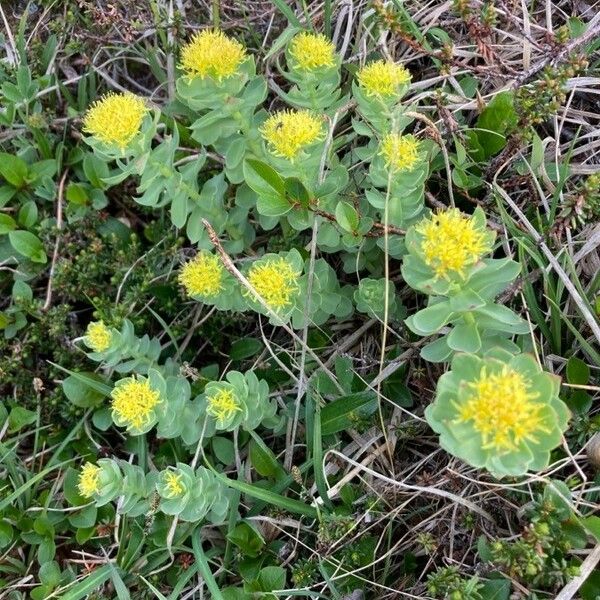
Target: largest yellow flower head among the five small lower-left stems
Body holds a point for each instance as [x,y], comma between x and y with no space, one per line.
[133,402]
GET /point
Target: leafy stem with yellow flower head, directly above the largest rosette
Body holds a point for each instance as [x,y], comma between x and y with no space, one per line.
[446,261]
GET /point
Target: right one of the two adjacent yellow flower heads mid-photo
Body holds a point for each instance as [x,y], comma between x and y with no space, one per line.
[275,281]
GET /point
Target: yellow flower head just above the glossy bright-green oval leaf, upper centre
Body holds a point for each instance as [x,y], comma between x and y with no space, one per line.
[287,132]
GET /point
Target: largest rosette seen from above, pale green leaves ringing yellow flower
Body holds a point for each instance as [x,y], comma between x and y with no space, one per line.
[501,412]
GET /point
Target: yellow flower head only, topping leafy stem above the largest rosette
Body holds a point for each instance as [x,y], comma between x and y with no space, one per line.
[452,242]
